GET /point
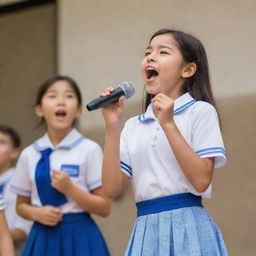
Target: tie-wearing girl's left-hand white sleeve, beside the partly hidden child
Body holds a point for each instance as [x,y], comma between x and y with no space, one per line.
[21,184]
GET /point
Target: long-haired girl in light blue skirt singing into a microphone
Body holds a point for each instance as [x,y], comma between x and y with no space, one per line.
[169,152]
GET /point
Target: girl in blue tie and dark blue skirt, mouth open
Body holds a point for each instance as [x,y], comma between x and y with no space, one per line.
[58,179]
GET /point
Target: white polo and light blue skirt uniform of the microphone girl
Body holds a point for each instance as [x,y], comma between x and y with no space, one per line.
[171,220]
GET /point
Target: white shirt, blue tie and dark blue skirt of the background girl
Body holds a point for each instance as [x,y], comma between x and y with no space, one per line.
[77,234]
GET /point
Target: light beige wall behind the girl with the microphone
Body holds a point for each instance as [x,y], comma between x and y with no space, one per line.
[101,43]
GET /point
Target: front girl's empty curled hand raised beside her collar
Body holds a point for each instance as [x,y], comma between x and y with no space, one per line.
[163,109]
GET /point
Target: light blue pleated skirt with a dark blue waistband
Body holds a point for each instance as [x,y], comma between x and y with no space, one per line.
[175,225]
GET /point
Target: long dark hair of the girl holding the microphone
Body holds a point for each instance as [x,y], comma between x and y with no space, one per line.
[192,50]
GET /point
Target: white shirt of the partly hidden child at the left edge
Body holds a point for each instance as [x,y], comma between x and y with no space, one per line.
[13,219]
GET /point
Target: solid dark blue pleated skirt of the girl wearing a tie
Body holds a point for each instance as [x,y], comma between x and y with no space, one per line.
[76,235]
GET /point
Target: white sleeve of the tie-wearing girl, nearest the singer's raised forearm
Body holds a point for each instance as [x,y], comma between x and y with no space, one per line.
[94,167]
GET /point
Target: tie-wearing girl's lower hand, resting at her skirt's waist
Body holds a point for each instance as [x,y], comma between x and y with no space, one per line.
[48,215]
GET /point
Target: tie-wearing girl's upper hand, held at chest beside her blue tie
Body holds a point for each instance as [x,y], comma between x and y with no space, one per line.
[61,181]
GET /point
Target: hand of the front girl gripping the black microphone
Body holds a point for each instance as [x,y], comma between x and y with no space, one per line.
[113,113]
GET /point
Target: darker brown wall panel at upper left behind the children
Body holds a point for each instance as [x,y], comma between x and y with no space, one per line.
[28,57]
